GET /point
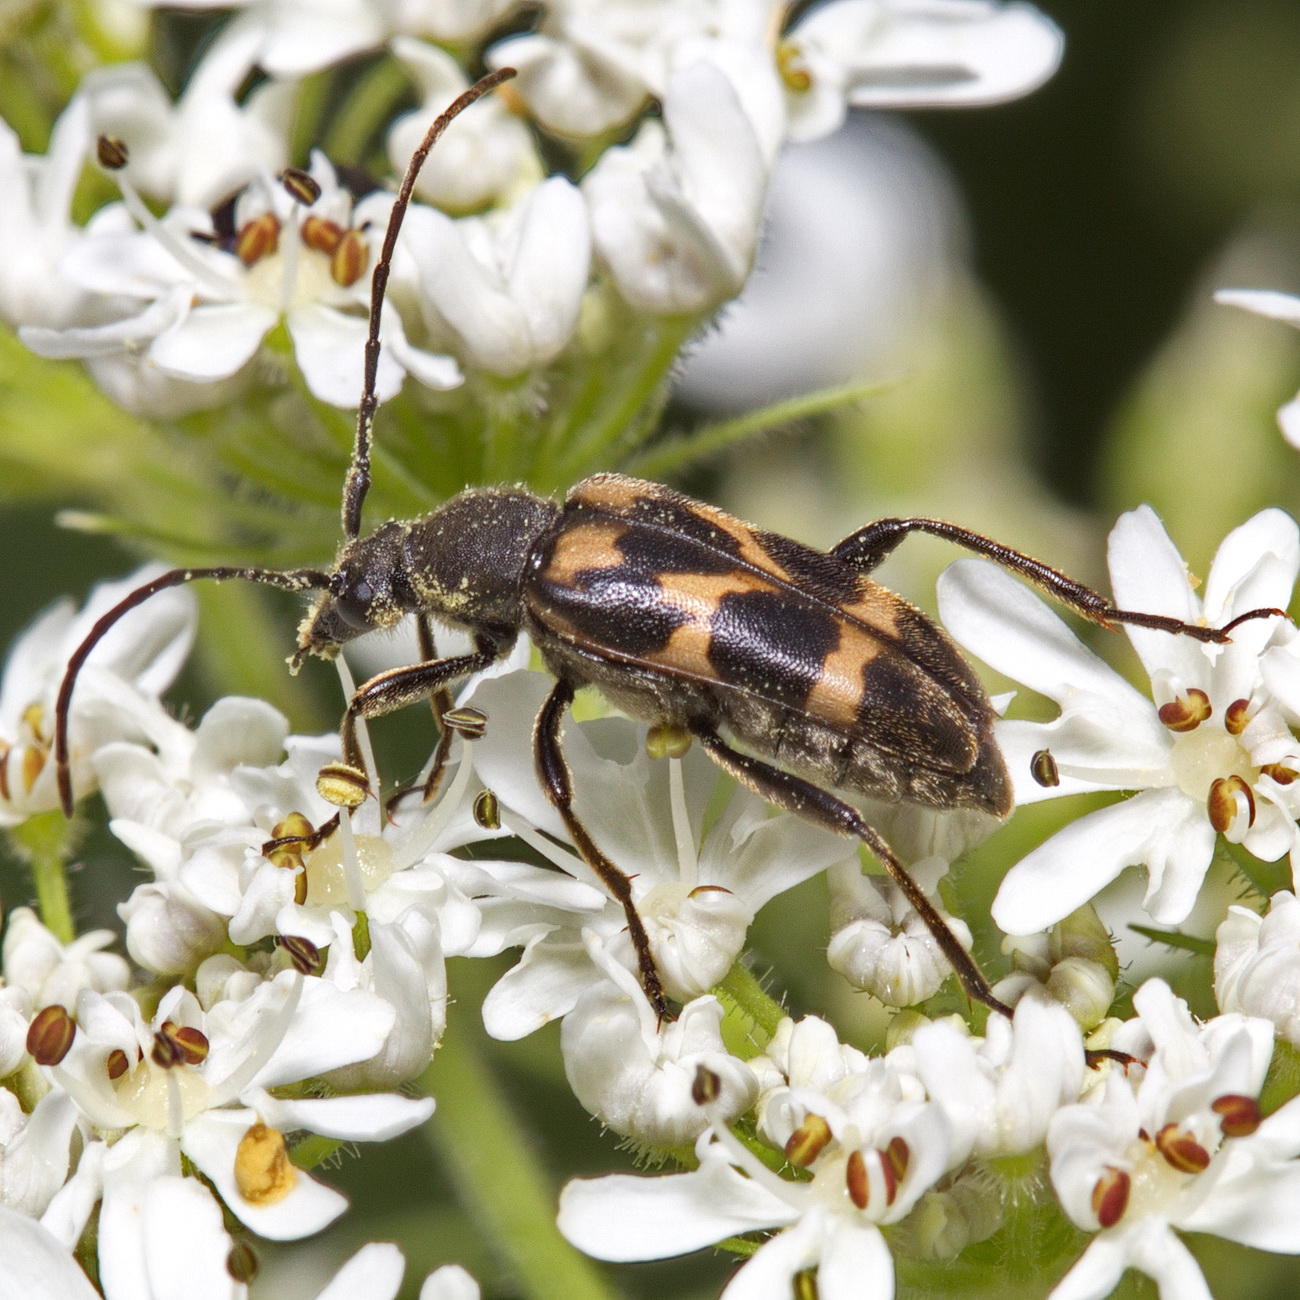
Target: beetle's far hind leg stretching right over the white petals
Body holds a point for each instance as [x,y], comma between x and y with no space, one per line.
[868,548]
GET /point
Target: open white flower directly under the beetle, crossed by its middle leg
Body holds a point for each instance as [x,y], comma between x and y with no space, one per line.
[696,894]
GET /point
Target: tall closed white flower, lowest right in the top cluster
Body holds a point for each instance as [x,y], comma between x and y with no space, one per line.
[675,214]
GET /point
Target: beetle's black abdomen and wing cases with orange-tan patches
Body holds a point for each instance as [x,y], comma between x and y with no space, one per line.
[801,657]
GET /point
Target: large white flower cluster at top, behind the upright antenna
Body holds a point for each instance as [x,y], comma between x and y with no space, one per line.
[172,294]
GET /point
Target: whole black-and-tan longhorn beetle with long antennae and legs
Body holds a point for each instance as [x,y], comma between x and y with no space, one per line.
[796,671]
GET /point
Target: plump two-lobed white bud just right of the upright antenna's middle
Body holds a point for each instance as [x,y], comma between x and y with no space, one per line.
[505,291]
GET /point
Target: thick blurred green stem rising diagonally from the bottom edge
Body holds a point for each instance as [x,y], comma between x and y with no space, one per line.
[499,1177]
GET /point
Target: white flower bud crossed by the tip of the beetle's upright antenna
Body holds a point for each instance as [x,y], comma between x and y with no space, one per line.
[487,155]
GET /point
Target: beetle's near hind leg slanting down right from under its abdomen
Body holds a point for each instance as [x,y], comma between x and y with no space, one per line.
[795,795]
